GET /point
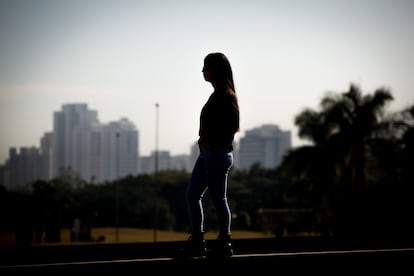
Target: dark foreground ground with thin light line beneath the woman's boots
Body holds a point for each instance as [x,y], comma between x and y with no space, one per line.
[258,256]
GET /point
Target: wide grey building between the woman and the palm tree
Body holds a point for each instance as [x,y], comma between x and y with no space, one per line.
[265,145]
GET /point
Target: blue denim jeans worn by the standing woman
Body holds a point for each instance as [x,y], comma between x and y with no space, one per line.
[210,172]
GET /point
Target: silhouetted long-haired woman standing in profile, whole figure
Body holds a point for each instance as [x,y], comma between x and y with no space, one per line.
[219,122]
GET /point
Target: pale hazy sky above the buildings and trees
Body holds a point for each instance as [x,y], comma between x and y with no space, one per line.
[121,57]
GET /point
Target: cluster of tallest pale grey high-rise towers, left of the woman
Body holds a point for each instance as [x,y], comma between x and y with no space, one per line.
[96,152]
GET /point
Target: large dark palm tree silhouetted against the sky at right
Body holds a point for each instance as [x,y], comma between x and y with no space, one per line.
[341,133]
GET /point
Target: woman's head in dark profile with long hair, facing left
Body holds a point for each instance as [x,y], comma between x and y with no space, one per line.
[217,70]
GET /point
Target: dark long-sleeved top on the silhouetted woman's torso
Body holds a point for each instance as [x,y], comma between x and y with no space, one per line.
[219,121]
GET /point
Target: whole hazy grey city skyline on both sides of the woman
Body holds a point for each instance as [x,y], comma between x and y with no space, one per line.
[82,149]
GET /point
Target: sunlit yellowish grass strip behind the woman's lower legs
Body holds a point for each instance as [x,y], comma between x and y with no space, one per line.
[131,235]
